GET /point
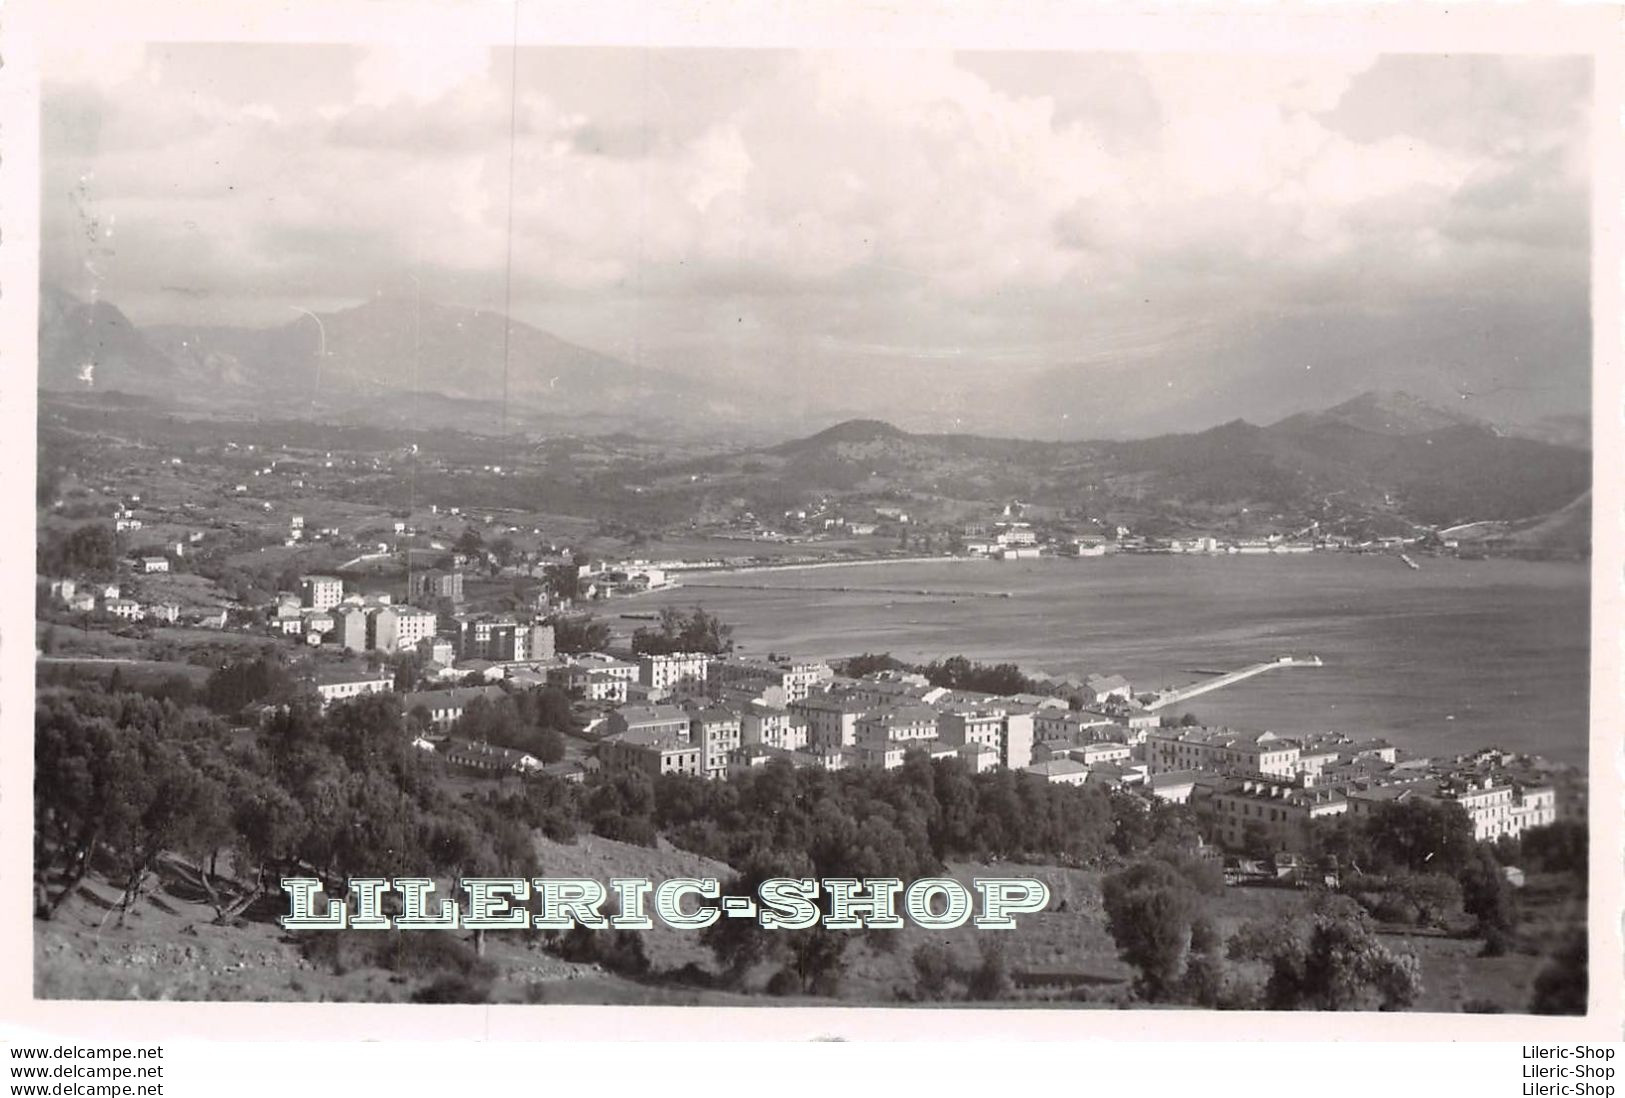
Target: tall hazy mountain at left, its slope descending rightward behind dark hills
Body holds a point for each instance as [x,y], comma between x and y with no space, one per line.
[389,363]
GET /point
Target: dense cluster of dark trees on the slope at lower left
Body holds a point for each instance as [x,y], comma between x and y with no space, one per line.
[124,782]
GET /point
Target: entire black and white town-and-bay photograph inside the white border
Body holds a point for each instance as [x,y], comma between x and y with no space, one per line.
[799,525]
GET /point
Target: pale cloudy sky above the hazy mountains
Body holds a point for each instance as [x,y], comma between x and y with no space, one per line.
[875,227]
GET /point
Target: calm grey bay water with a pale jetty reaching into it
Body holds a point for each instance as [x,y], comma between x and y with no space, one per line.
[1442,660]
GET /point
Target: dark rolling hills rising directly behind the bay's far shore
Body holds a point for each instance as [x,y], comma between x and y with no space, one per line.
[1380,456]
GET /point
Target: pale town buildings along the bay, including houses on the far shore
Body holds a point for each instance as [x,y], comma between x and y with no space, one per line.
[716,717]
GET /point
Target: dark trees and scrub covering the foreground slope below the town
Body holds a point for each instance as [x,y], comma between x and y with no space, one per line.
[149,797]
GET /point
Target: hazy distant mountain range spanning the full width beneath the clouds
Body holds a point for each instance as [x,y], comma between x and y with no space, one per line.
[401,363]
